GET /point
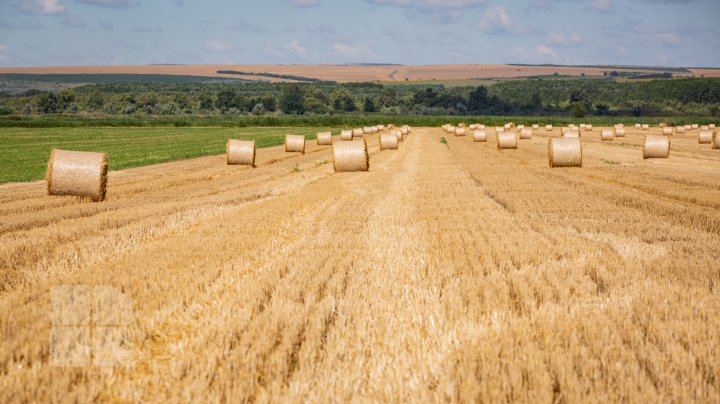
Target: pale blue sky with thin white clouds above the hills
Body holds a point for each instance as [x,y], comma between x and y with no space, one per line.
[136,32]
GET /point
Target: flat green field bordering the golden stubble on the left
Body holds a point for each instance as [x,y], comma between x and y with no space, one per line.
[24,151]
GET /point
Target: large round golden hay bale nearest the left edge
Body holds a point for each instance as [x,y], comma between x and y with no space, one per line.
[77,173]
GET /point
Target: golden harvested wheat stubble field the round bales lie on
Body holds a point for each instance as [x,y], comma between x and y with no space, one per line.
[451,271]
